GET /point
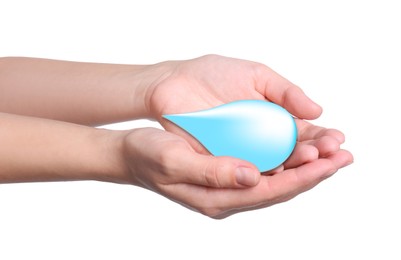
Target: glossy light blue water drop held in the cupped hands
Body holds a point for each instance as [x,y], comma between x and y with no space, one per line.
[257,131]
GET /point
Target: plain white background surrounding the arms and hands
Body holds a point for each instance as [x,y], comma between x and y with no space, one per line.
[344,54]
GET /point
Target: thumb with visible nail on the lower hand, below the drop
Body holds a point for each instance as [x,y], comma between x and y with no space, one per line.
[220,172]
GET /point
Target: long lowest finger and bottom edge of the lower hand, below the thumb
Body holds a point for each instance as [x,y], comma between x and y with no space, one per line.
[220,203]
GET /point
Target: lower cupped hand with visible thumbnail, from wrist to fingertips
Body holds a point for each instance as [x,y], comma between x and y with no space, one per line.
[165,163]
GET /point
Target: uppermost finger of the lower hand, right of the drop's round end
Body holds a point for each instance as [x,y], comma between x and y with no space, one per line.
[308,131]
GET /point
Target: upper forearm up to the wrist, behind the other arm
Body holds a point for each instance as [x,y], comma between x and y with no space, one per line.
[83,93]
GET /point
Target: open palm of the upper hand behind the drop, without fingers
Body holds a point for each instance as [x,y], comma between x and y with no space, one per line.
[187,89]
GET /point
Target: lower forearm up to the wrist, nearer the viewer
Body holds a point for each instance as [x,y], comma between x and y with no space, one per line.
[33,149]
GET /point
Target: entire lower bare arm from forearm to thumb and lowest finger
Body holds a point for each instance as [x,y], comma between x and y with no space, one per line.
[34,149]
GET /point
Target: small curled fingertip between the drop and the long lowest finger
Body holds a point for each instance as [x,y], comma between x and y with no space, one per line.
[303,153]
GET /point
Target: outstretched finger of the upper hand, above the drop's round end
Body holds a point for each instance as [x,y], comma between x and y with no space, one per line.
[284,93]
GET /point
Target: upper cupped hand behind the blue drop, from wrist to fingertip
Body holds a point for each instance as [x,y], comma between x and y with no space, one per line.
[209,81]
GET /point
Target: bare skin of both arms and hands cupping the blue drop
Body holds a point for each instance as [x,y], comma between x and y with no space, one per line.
[59,98]
